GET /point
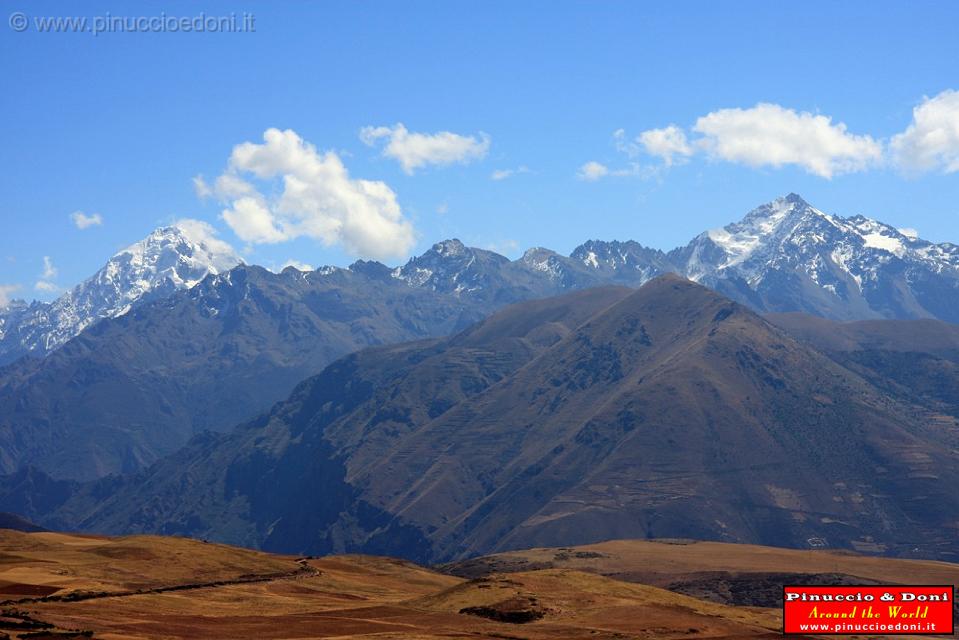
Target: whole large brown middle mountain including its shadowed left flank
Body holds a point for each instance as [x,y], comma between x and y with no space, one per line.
[664,412]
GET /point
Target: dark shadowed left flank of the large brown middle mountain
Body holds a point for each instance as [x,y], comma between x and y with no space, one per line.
[278,483]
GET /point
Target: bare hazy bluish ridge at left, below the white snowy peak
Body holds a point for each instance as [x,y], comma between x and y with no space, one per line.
[133,388]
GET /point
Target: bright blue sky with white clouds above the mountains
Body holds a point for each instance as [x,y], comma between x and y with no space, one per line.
[120,124]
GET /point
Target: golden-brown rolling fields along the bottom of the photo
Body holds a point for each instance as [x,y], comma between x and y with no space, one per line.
[71,586]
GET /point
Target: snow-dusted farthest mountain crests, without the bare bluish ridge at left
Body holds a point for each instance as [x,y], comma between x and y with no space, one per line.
[782,256]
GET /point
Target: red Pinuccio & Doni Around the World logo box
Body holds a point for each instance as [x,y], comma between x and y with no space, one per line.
[887,610]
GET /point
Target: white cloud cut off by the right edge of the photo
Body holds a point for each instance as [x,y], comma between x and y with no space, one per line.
[931,141]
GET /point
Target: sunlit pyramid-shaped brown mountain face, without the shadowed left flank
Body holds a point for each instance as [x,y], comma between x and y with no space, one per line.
[673,413]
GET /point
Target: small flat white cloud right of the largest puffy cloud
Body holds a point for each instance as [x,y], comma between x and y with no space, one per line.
[415,150]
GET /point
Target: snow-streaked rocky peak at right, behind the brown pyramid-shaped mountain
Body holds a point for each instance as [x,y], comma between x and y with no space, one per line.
[798,257]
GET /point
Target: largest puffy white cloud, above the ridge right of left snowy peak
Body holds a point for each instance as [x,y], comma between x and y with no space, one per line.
[318,199]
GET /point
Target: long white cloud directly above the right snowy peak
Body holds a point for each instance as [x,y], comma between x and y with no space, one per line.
[770,135]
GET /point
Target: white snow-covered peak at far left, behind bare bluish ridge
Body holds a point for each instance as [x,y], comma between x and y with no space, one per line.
[169,259]
